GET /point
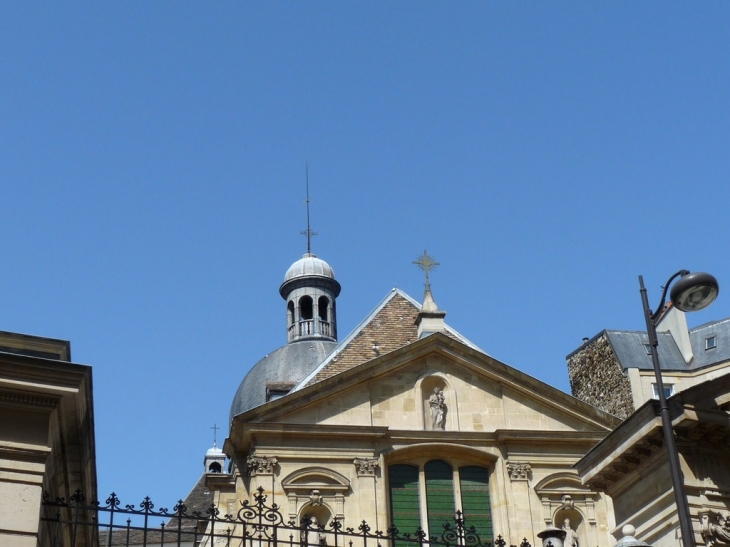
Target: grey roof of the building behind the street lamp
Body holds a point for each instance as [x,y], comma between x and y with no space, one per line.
[631,352]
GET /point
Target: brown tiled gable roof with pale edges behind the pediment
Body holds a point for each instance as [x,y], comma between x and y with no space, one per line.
[391,325]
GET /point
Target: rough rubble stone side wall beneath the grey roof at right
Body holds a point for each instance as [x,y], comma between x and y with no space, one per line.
[596,378]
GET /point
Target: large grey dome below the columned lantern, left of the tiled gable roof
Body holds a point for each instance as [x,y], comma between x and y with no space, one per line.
[288,364]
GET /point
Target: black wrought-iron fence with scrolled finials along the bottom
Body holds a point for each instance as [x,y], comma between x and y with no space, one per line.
[78,523]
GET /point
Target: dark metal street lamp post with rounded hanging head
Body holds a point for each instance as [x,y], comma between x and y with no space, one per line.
[693,291]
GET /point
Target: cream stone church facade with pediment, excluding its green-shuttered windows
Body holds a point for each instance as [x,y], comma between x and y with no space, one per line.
[334,442]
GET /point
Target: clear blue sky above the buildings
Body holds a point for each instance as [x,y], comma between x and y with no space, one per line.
[152,161]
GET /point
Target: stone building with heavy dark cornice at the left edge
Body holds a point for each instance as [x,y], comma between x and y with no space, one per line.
[46,434]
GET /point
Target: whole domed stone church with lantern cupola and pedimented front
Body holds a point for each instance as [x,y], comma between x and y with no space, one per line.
[404,422]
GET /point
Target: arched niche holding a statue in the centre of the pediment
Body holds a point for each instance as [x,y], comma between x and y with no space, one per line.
[434,394]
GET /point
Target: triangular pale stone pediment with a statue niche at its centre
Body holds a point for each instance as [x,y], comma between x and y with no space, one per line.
[401,390]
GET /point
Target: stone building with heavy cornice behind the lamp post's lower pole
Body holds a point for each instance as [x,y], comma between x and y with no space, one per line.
[631,466]
